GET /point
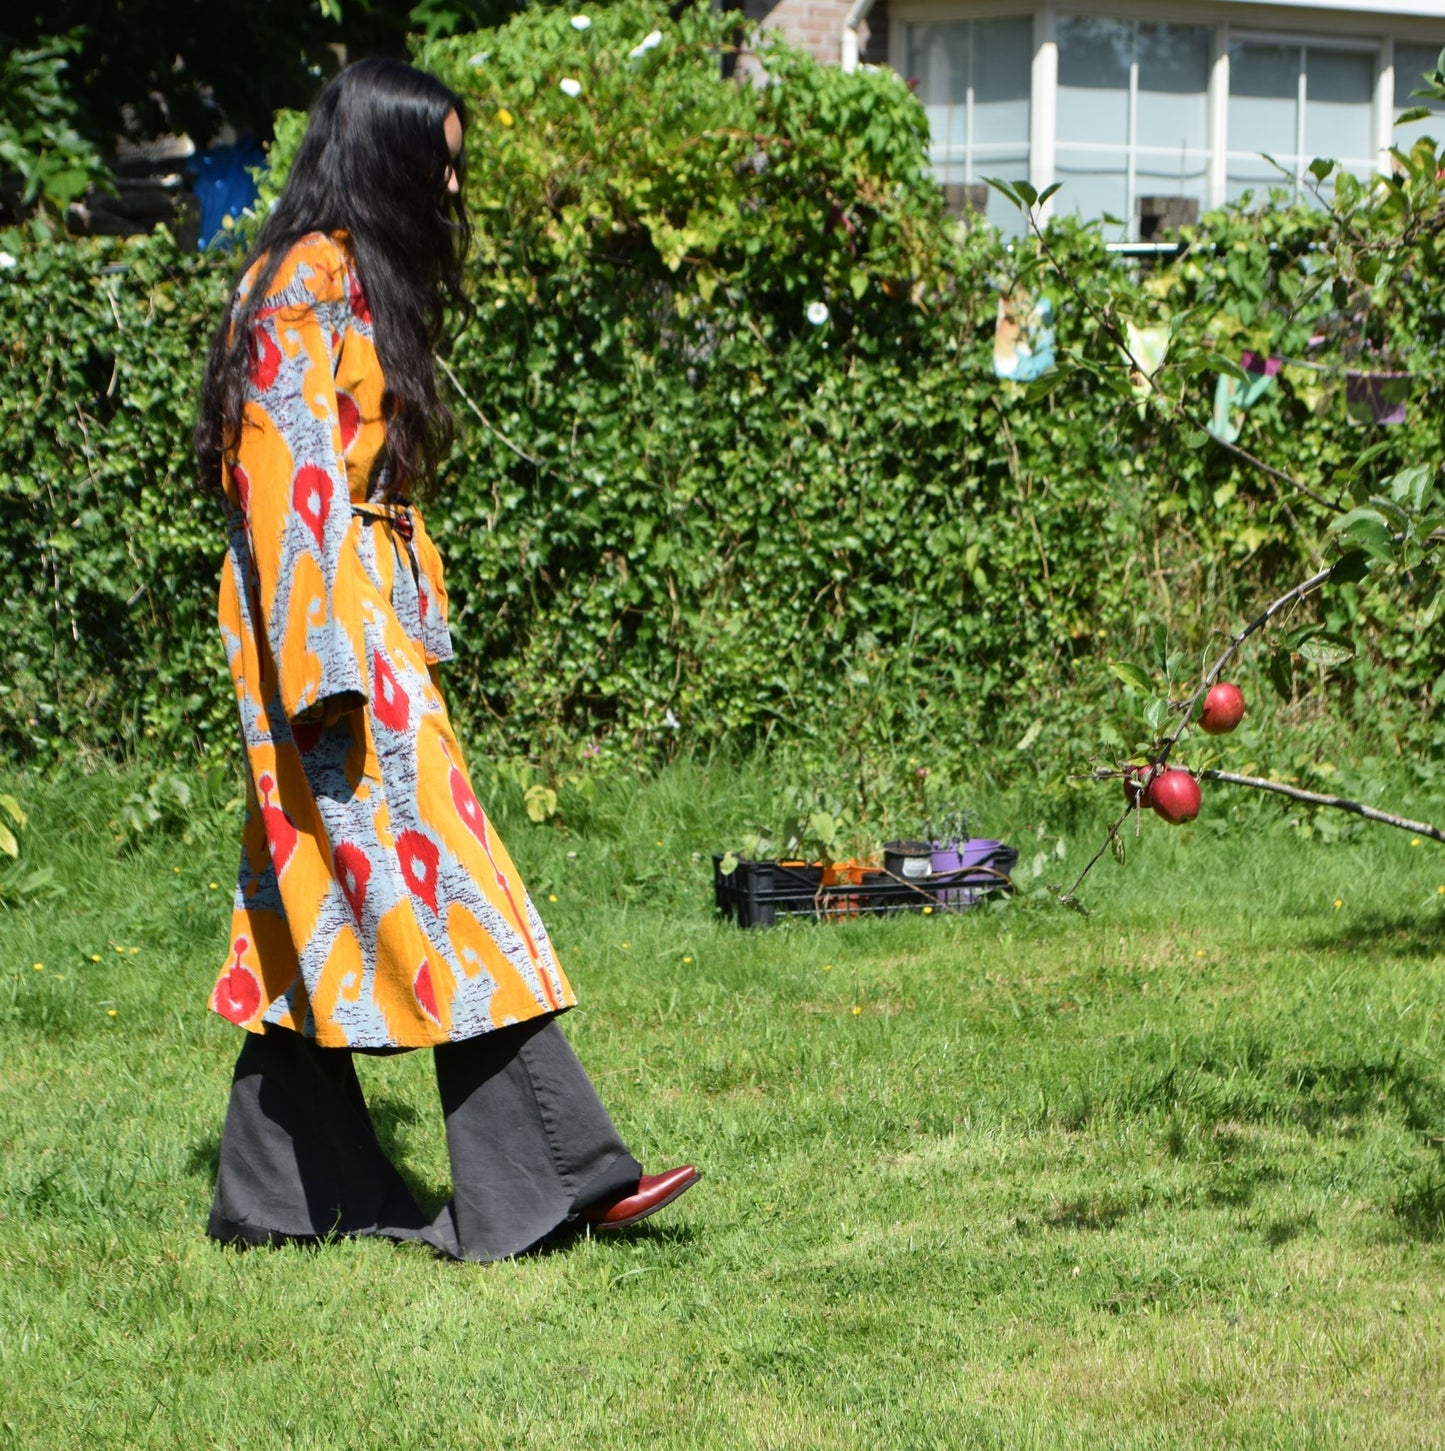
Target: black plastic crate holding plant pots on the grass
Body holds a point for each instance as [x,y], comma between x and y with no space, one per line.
[755,895]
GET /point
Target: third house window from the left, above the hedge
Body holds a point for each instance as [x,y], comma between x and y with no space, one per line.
[1293,104]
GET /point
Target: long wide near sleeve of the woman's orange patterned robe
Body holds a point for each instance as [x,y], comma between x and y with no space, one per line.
[292,485]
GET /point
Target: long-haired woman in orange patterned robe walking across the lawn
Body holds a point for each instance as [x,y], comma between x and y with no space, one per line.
[376,909]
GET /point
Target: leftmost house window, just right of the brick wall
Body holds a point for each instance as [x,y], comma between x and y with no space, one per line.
[974,81]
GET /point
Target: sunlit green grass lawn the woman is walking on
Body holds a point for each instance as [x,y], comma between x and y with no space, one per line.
[1167,1176]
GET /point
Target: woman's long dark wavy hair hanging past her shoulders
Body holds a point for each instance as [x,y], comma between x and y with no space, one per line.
[374,163]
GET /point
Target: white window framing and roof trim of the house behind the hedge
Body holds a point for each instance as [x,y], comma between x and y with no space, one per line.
[1367,28]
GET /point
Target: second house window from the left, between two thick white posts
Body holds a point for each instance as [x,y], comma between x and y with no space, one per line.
[1134,114]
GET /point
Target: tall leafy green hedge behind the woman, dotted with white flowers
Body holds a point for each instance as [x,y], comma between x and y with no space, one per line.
[677,500]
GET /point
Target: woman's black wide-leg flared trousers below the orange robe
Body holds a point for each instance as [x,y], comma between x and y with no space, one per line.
[529,1140]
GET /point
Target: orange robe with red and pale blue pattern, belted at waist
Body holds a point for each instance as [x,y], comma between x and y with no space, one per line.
[376,906]
